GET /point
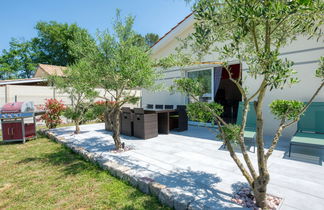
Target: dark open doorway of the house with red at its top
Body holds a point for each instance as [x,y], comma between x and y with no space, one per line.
[227,93]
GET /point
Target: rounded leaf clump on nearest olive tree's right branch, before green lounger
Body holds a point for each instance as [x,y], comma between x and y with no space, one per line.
[286,110]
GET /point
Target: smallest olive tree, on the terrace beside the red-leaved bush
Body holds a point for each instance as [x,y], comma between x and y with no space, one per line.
[82,92]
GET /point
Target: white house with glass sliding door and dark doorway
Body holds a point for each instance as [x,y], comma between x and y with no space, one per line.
[304,52]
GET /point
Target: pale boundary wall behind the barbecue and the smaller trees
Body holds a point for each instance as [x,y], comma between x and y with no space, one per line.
[38,94]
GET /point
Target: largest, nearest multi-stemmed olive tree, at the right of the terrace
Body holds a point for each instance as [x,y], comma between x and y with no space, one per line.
[253,32]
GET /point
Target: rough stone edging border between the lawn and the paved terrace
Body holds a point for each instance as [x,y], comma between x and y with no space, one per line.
[171,197]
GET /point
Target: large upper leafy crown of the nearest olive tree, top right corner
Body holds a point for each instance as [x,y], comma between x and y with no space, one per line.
[253,32]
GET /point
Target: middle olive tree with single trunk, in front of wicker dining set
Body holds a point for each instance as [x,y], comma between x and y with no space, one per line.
[119,65]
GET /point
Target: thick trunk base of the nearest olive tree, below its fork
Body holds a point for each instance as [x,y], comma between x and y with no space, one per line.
[260,190]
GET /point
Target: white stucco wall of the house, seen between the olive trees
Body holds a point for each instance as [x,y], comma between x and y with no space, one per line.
[305,54]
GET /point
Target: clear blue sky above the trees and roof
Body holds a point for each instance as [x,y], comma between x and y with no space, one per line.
[18,17]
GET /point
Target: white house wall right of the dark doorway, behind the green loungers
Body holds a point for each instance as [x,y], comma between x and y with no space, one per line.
[306,61]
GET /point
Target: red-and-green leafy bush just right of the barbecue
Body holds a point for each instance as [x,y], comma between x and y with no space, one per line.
[53,110]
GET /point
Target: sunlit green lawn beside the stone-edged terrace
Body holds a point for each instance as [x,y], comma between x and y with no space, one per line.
[42,174]
